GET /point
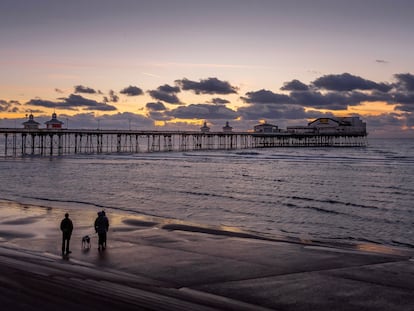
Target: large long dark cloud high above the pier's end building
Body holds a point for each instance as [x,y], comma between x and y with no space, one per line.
[348,82]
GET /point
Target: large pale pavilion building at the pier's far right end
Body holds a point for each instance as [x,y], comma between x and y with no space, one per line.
[331,126]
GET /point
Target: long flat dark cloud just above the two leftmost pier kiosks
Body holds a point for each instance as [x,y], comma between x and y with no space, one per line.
[73,102]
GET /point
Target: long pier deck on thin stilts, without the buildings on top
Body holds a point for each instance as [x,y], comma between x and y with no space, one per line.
[58,142]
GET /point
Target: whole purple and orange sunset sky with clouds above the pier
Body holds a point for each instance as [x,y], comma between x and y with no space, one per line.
[173,64]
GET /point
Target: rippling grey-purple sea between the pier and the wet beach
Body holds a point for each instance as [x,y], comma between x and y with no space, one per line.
[333,194]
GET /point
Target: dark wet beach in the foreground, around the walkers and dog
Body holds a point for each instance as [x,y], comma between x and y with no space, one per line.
[155,264]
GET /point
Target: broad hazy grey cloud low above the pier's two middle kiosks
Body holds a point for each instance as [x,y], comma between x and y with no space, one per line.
[203,111]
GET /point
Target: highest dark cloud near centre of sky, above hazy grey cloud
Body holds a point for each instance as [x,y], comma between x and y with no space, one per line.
[207,86]
